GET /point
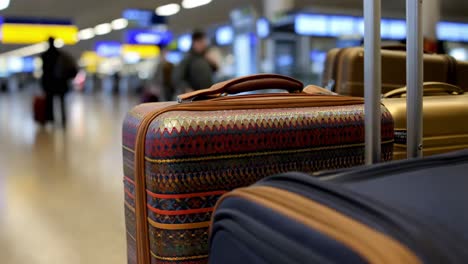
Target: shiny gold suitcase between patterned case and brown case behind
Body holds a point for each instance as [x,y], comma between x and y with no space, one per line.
[445,119]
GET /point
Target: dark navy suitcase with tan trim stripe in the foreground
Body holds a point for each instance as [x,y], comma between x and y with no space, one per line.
[410,212]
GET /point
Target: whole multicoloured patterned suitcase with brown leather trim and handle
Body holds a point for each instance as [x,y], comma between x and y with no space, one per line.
[179,158]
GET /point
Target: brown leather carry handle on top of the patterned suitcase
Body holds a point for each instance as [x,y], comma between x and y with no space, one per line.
[247,84]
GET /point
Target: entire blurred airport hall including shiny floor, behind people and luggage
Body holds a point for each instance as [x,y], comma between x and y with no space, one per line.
[61,189]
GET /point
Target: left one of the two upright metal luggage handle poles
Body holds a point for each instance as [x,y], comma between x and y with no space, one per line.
[372,80]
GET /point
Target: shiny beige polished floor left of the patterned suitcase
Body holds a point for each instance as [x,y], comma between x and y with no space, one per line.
[61,192]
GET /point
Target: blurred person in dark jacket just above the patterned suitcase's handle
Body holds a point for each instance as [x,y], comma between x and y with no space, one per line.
[196,70]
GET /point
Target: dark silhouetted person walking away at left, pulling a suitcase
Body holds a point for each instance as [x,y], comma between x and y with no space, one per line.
[58,68]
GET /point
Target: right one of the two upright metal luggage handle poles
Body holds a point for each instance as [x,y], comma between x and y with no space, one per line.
[414,78]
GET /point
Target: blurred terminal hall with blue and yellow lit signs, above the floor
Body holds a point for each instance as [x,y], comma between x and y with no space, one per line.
[117,44]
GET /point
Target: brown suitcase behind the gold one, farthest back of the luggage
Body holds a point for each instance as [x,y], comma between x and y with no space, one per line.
[344,72]
